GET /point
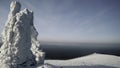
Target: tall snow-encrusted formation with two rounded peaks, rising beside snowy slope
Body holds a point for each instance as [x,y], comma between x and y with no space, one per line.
[20,46]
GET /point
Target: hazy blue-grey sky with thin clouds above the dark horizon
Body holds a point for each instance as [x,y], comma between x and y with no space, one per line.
[72,20]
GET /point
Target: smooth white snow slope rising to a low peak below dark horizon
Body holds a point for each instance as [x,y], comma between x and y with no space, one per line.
[90,61]
